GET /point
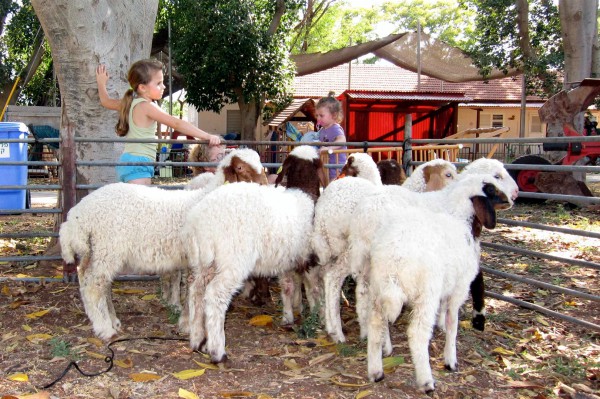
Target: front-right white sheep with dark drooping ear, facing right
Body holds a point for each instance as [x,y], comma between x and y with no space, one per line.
[430,278]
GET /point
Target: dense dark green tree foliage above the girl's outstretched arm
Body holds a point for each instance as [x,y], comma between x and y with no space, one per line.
[225,51]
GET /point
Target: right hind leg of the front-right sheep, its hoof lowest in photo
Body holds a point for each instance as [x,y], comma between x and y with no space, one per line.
[419,334]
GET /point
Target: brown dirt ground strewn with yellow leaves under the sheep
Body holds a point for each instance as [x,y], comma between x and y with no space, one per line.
[521,354]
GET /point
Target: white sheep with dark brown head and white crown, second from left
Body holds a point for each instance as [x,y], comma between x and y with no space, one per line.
[240,230]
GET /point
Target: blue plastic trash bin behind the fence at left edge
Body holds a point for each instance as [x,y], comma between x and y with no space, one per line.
[13,175]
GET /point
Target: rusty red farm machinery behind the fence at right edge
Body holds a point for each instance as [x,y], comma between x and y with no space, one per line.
[562,108]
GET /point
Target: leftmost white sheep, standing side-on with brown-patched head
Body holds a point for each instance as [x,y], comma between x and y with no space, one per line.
[136,229]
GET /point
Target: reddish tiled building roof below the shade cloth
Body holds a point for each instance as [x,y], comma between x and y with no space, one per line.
[394,79]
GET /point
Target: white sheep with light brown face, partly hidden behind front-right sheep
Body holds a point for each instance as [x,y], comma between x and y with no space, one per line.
[336,212]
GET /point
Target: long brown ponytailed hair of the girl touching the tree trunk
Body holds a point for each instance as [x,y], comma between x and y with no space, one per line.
[141,72]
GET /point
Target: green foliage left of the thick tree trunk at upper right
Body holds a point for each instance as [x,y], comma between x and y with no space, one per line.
[497,41]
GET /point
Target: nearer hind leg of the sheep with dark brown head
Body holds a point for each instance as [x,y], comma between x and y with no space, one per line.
[216,301]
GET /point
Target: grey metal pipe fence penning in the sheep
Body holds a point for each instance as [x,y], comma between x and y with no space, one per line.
[512,147]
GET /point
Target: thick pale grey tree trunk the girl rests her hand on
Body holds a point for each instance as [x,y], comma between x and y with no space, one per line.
[83,34]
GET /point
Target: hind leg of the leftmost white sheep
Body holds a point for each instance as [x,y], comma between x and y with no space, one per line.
[93,287]
